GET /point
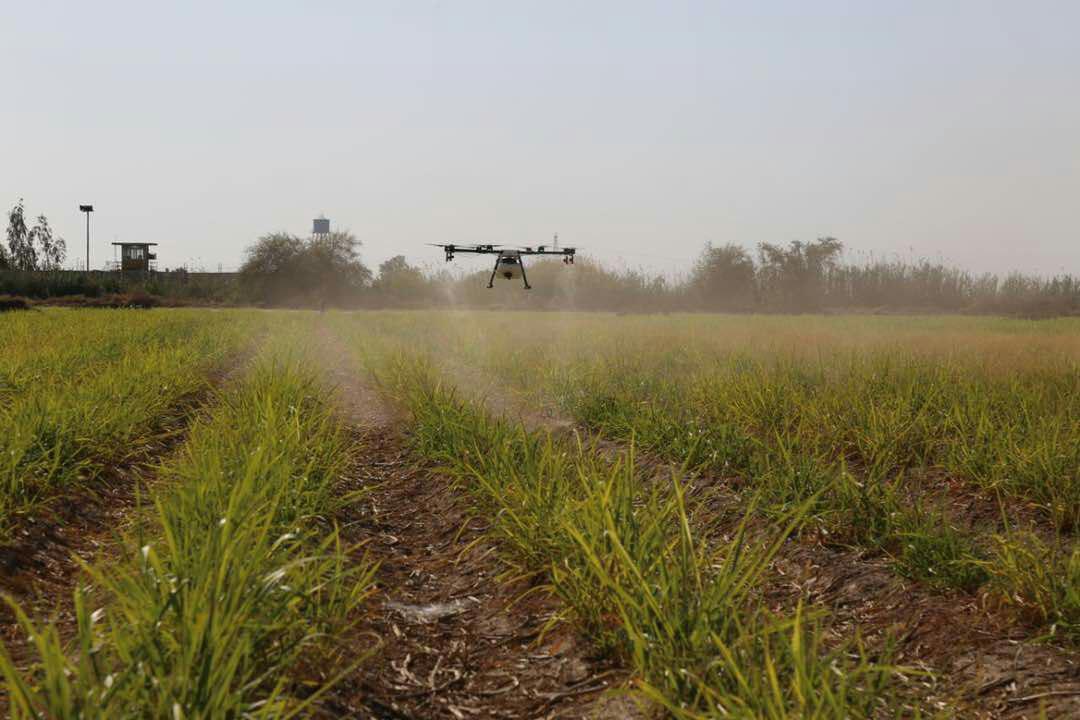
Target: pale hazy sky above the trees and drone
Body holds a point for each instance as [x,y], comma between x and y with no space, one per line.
[637,130]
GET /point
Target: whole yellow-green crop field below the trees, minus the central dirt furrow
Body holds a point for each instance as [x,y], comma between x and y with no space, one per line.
[680,484]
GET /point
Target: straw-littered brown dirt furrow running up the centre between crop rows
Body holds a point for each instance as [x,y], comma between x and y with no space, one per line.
[454,641]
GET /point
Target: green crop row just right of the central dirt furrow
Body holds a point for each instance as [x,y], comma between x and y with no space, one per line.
[626,558]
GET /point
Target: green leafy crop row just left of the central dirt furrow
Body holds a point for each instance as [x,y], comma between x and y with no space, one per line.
[236,589]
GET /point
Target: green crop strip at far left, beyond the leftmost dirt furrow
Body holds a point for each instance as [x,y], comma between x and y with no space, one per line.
[85,391]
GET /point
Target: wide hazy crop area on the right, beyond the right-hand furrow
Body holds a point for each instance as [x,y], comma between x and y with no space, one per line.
[884,426]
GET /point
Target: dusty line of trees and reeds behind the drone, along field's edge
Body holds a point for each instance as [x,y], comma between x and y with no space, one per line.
[800,277]
